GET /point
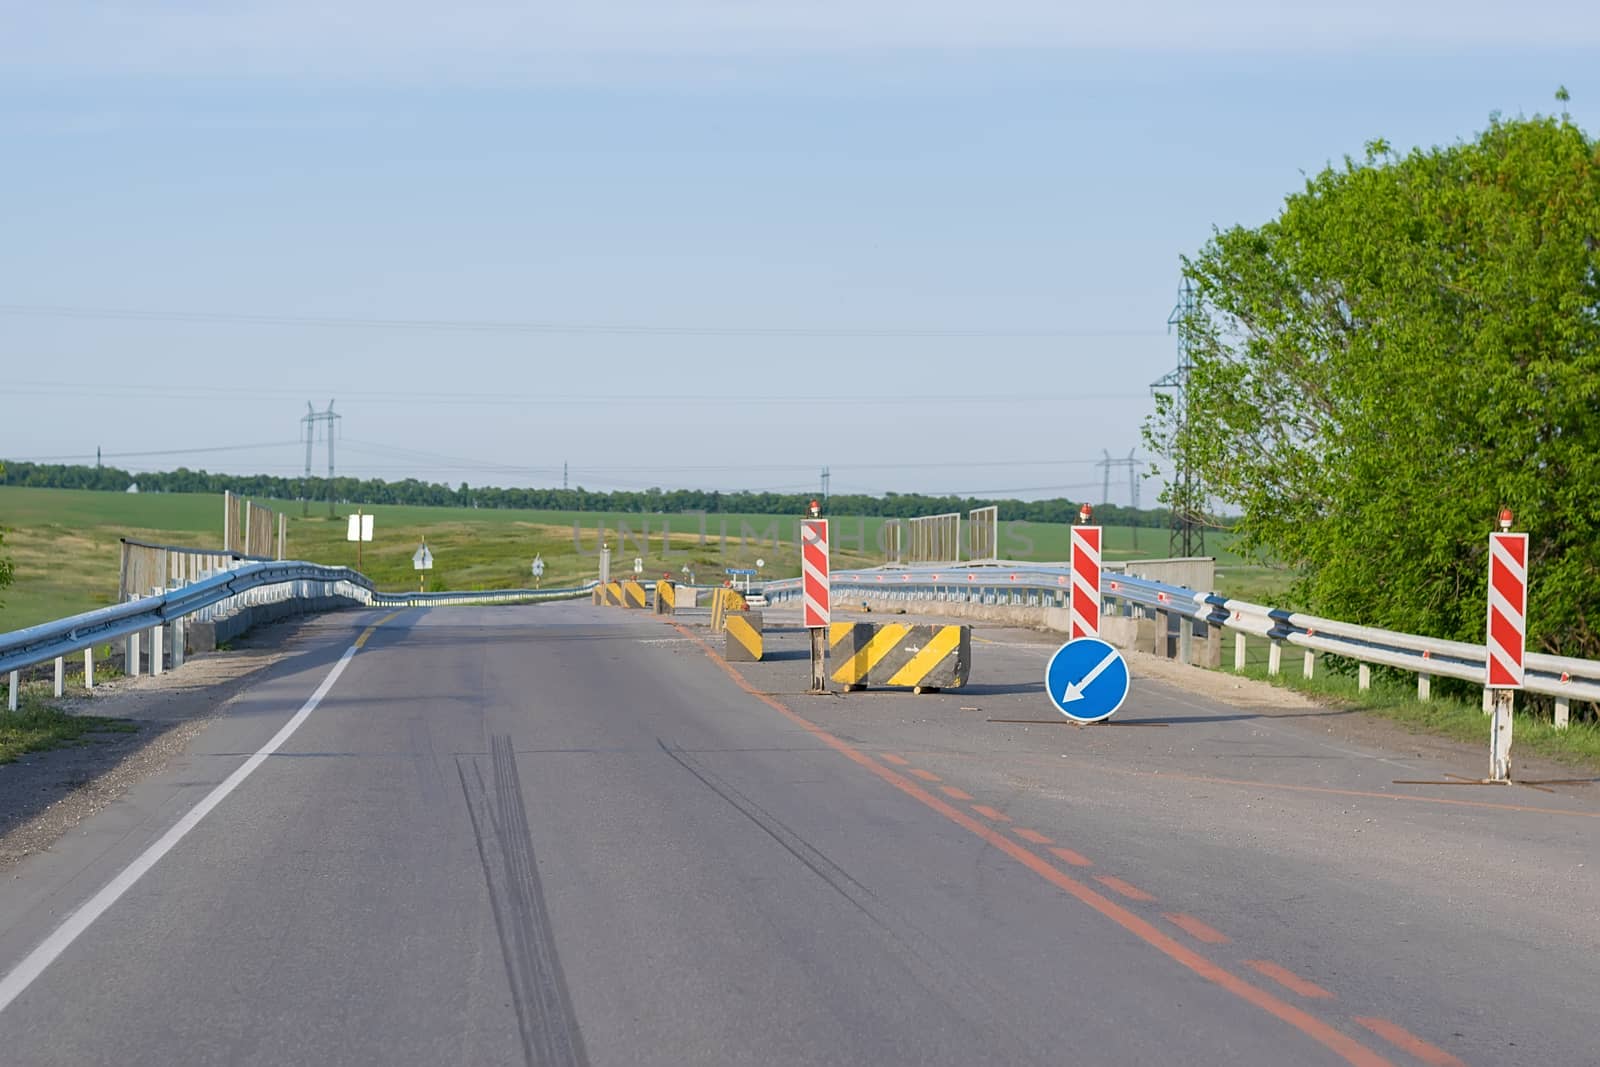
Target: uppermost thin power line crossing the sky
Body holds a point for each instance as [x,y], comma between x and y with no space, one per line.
[463,326]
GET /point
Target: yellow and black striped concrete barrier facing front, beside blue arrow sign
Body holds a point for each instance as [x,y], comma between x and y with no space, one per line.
[926,658]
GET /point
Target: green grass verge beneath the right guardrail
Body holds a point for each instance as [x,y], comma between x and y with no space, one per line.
[1394,698]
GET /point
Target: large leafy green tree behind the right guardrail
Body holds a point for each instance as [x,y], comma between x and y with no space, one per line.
[1414,343]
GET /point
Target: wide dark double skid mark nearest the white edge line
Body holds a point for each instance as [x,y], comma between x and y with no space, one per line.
[500,823]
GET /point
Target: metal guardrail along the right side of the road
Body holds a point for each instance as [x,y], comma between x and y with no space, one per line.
[1561,677]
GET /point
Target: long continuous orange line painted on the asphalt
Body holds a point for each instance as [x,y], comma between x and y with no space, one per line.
[1343,1045]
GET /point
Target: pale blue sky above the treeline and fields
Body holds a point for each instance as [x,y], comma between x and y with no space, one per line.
[930,247]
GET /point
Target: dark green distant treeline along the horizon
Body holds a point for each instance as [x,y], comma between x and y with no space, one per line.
[626,502]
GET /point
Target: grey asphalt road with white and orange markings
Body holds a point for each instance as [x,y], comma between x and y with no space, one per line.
[566,834]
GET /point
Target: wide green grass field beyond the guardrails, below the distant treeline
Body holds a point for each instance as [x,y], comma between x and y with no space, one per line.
[65,545]
